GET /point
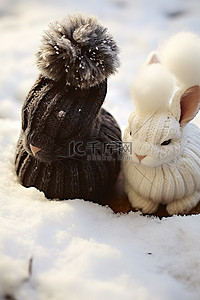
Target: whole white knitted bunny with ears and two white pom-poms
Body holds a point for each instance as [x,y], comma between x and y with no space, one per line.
[163,164]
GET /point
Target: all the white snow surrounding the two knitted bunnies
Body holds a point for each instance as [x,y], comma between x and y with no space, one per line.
[75,249]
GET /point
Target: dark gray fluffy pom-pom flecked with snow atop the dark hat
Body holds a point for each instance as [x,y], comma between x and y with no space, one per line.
[78,50]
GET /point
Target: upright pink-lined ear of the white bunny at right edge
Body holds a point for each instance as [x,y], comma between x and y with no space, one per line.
[189,104]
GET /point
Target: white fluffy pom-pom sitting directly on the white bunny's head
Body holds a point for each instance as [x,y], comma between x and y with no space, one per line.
[152,89]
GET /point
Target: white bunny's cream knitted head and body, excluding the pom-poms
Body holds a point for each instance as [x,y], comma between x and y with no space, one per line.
[168,174]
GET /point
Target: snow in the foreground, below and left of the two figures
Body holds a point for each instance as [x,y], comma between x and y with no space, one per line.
[85,250]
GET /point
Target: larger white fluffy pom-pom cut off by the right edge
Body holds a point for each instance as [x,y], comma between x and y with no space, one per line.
[181,55]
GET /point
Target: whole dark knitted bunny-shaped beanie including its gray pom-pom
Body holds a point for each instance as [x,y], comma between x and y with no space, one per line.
[69,147]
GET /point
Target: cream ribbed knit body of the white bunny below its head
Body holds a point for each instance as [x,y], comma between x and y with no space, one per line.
[175,184]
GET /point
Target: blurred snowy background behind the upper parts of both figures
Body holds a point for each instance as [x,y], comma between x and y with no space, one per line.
[138,27]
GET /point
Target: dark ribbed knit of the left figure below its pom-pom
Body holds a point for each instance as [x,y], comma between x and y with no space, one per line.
[51,126]
